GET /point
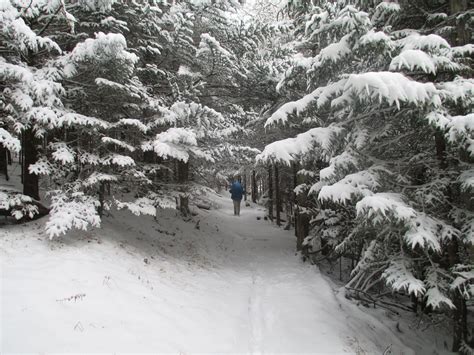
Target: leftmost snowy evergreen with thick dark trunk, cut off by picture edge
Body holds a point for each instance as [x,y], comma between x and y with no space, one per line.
[30,94]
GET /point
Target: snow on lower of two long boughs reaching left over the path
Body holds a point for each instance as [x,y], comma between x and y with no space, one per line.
[287,150]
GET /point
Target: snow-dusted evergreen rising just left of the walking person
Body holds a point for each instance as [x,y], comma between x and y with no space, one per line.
[214,88]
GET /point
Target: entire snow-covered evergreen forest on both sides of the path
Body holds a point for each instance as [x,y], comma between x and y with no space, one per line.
[351,120]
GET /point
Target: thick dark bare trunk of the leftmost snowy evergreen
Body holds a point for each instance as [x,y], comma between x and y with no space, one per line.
[30,156]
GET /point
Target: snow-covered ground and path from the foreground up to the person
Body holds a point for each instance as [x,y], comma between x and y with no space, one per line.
[223,284]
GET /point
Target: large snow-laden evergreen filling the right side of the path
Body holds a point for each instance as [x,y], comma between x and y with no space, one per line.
[388,107]
